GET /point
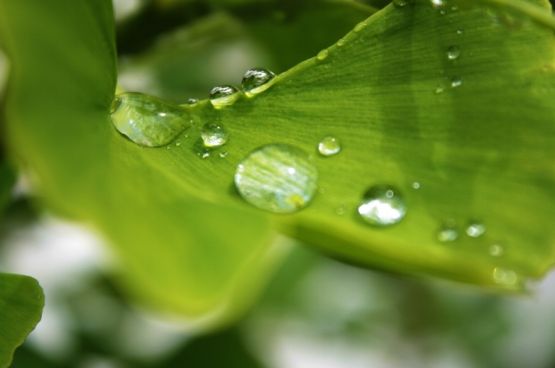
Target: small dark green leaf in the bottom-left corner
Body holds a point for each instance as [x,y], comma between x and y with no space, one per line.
[21,303]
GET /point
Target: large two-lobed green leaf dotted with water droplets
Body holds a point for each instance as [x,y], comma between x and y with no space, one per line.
[447,104]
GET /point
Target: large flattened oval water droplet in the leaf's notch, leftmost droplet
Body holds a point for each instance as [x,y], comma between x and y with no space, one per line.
[147,120]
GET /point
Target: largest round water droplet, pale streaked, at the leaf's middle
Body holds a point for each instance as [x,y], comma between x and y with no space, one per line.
[278,178]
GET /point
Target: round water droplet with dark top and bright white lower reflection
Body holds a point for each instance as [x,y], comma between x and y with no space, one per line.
[382,205]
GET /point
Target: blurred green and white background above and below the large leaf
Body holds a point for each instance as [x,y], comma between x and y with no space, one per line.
[317,312]
